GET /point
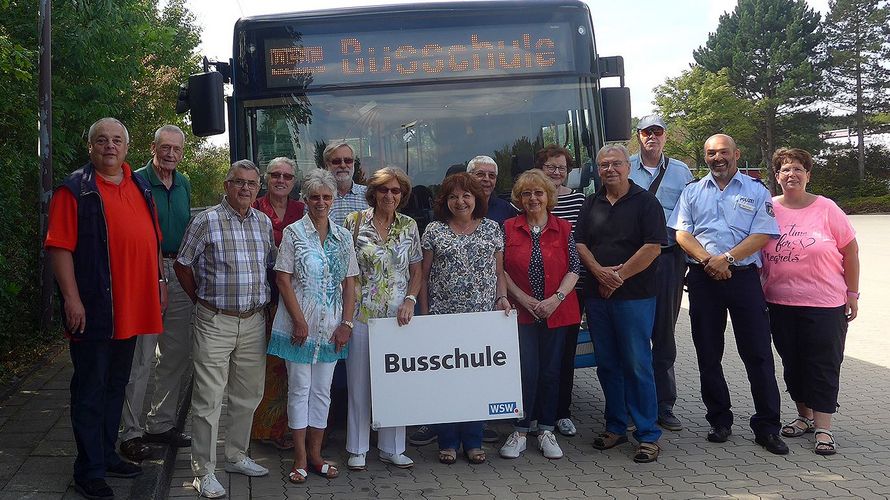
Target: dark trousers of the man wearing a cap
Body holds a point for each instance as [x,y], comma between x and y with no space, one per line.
[671,270]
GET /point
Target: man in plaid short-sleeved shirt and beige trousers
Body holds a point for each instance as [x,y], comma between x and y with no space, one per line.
[222,266]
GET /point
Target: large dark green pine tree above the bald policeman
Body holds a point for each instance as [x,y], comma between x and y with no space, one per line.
[771,51]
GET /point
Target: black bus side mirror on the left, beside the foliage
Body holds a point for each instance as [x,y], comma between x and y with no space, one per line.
[204,96]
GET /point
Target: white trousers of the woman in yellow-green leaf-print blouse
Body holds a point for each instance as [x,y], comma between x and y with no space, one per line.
[358,419]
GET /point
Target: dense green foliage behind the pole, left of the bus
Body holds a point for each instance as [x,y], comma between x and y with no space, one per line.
[121,58]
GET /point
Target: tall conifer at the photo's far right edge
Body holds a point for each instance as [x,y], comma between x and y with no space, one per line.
[857,42]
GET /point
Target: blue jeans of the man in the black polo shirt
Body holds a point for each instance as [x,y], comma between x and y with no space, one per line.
[622,343]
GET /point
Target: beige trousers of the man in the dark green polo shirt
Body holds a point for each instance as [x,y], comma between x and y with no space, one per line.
[169,354]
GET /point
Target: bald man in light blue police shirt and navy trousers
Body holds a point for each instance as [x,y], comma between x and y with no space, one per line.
[722,222]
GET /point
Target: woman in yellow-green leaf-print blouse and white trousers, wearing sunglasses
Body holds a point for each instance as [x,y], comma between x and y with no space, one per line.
[388,250]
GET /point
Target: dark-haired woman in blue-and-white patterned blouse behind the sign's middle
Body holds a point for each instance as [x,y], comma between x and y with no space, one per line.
[463,269]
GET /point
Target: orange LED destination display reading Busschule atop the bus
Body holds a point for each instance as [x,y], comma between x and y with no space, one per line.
[384,56]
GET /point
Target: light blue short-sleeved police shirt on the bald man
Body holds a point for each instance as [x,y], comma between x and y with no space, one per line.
[720,220]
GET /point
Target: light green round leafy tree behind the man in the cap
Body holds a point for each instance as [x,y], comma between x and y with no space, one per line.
[698,104]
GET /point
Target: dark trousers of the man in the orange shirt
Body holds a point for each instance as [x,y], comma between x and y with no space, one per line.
[101,373]
